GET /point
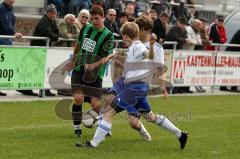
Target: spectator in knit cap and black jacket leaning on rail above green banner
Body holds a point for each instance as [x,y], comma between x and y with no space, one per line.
[47,27]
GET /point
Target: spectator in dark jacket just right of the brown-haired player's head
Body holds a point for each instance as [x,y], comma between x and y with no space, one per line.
[160,26]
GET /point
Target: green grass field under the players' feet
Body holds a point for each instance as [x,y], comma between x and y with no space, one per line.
[32,130]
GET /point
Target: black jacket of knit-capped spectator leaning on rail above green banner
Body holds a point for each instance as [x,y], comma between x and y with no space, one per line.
[45,28]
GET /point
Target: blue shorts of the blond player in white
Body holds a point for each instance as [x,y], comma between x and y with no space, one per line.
[131,97]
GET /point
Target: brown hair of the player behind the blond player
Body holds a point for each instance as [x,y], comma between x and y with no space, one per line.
[144,23]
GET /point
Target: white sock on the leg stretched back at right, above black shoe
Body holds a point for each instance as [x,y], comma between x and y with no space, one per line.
[166,124]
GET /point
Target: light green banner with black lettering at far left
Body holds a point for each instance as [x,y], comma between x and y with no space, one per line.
[22,68]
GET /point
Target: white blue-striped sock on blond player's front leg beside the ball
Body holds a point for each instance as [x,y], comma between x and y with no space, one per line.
[102,130]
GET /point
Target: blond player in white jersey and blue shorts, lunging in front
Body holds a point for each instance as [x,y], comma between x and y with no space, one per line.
[133,94]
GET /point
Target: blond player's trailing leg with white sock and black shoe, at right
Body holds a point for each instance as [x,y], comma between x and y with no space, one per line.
[163,122]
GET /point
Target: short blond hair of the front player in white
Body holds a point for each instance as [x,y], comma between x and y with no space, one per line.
[130,29]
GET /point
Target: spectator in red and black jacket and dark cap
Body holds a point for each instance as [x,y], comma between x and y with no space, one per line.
[216,32]
